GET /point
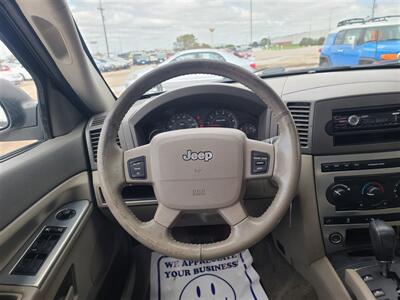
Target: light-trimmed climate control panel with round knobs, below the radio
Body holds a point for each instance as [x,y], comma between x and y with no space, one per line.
[353,189]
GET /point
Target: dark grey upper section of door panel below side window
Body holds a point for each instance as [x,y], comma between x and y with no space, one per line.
[27,177]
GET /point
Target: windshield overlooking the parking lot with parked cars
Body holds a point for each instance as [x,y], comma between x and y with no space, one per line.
[127,39]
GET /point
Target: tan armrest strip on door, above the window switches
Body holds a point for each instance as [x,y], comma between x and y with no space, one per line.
[13,236]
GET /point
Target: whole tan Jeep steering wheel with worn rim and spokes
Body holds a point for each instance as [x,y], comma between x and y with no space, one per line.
[200,169]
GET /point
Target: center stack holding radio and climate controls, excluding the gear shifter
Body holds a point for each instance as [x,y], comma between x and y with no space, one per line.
[356,152]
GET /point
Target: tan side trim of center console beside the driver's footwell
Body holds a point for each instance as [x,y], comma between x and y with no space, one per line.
[299,233]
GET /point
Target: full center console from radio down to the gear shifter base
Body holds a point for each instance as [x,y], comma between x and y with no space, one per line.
[356,155]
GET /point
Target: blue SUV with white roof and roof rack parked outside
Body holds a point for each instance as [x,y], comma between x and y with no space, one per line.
[359,41]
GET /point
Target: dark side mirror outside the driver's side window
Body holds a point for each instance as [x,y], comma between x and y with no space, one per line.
[18,114]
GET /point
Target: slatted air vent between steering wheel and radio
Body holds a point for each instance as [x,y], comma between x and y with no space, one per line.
[301,115]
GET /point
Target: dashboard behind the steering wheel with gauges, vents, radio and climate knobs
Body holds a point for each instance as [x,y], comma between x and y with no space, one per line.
[348,125]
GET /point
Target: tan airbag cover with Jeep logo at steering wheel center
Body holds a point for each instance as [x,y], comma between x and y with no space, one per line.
[198,168]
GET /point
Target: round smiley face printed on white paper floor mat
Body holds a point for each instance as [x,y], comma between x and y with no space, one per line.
[209,287]
